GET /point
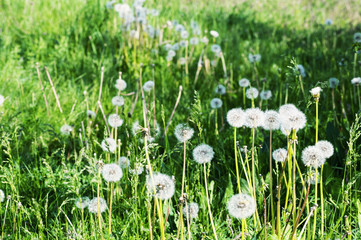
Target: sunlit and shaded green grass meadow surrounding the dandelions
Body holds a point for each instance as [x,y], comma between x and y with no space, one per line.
[47,172]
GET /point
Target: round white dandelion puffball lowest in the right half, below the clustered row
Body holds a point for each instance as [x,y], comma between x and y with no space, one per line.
[241,206]
